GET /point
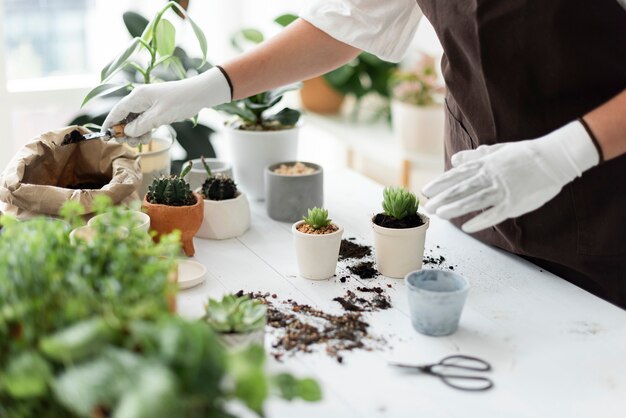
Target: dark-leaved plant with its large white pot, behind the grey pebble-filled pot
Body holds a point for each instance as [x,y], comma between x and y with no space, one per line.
[259,137]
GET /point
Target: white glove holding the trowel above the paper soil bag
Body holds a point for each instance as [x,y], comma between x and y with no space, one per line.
[164,103]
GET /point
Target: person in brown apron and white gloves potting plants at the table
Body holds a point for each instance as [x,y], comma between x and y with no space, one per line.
[536,115]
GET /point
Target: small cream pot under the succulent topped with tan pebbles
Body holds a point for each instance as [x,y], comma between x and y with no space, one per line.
[317,255]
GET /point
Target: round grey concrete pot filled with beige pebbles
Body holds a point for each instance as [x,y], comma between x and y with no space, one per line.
[289,197]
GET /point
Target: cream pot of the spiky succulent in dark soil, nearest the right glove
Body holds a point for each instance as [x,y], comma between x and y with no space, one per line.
[399,251]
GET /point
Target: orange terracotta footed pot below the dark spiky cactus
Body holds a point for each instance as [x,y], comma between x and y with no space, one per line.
[187,219]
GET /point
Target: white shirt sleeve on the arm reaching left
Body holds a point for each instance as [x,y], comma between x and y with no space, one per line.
[384,28]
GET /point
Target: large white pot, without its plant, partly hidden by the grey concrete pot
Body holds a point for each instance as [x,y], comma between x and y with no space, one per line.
[252,151]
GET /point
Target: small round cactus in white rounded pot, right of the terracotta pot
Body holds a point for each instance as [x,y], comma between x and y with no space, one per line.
[226,209]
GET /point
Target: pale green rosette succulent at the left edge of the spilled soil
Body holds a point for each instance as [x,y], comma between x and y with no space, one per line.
[235,314]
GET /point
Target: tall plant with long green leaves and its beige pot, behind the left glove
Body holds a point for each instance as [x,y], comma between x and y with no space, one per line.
[148,54]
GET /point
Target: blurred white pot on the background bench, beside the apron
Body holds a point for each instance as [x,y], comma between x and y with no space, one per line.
[418,129]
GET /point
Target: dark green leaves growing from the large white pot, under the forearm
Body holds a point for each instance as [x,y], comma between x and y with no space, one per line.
[253,113]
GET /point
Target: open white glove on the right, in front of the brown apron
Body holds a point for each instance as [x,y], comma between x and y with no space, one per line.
[512,178]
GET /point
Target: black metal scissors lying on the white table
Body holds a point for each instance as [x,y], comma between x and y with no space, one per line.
[448,368]
